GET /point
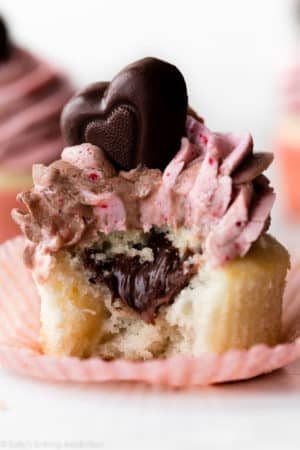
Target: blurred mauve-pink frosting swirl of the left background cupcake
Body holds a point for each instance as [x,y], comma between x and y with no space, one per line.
[32,95]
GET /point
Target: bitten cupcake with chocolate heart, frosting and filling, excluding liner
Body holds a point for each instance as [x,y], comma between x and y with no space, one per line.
[148,237]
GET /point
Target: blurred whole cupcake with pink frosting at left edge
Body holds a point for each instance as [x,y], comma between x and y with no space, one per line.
[32,95]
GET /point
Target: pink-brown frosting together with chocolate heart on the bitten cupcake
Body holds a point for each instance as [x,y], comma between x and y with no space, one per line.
[212,185]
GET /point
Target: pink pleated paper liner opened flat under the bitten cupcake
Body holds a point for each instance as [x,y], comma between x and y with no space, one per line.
[20,348]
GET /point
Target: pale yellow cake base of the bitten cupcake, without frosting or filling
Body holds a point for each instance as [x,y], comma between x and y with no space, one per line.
[231,307]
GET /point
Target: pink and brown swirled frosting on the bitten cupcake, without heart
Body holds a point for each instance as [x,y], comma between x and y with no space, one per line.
[214,186]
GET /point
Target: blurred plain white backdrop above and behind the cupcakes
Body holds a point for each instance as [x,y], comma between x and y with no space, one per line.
[234,55]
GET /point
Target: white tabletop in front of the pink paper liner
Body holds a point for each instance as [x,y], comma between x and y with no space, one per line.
[261,414]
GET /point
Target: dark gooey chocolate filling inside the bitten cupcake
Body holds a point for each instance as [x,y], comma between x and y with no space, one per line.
[142,285]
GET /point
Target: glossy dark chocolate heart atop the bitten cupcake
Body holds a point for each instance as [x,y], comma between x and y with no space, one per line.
[137,119]
